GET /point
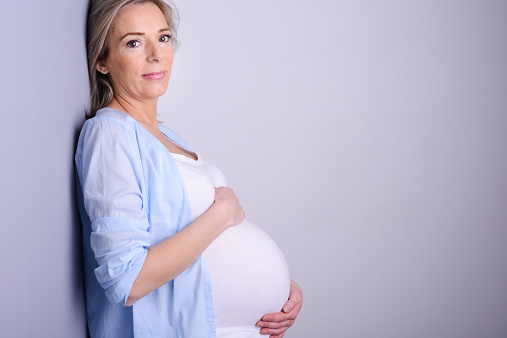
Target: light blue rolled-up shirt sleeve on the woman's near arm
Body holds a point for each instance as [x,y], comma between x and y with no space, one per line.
[111,178]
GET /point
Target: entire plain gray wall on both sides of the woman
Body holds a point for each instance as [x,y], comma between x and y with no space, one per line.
[367,138]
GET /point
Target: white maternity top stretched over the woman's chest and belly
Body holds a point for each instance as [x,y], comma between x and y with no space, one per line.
[250,277]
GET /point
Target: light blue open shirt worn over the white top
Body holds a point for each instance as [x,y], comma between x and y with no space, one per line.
[131,196]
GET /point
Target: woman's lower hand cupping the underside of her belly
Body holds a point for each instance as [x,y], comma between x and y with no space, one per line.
[275,324]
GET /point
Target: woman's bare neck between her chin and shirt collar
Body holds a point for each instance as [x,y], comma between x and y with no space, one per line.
[144,112]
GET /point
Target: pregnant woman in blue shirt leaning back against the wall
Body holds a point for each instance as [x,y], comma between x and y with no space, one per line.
[167,250]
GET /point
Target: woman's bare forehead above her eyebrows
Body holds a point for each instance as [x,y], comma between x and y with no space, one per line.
[143,17]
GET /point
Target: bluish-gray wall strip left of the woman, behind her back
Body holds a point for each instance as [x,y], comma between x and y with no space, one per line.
[43,93]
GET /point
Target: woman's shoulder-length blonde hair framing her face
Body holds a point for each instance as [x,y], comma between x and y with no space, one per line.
[101,16]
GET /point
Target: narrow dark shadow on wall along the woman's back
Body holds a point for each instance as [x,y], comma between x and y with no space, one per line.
[77,236]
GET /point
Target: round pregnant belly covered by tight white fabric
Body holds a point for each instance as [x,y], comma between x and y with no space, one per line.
[249,273]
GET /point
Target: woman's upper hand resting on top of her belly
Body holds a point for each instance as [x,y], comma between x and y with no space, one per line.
[228,207]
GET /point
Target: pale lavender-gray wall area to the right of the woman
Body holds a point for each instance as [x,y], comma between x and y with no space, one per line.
[369,139]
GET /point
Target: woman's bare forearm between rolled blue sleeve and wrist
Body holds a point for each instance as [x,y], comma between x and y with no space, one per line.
[169,258]
